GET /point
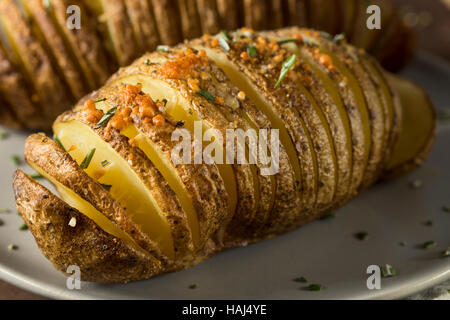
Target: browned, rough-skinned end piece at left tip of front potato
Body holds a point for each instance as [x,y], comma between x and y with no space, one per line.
[100,256]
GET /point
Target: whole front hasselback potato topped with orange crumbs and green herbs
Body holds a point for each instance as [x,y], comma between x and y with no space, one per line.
[129,211]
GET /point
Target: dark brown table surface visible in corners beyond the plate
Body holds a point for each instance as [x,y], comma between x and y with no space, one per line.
[431,19]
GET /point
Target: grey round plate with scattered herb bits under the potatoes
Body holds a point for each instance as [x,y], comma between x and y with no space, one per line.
[324,252]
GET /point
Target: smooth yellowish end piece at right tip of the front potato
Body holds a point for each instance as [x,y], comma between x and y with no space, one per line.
[418,128]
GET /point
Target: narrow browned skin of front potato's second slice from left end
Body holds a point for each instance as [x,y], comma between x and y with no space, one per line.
[47,155]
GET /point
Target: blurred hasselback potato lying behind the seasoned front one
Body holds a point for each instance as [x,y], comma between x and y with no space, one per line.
[47,66]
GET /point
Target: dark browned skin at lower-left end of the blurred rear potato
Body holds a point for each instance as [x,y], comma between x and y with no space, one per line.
[17,98]
